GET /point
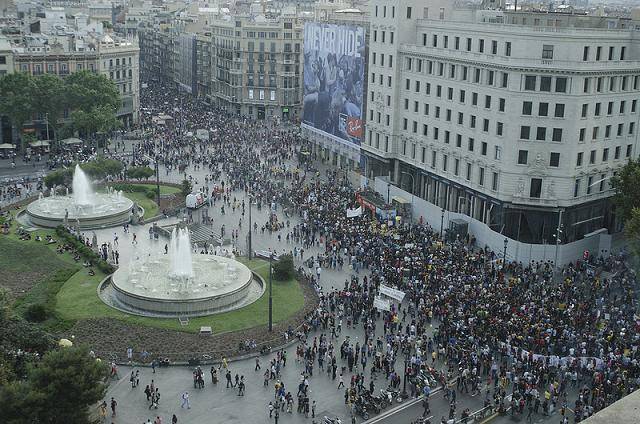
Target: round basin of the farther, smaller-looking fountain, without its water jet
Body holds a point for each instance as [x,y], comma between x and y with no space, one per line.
[106,210]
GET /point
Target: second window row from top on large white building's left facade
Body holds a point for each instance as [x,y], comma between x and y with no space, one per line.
[457,72]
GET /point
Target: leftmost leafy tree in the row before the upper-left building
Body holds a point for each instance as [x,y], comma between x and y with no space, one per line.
[17,97]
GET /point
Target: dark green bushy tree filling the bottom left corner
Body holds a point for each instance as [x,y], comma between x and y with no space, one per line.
[59,389]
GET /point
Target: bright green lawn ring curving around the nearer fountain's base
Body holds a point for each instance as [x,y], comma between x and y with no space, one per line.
[78,300]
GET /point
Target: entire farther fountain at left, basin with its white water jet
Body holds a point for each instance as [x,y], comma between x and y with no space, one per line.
[83,205]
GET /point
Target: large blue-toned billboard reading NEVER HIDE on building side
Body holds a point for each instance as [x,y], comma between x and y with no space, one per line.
[334,80]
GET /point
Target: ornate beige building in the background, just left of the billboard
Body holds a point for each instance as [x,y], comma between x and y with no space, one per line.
[257,66]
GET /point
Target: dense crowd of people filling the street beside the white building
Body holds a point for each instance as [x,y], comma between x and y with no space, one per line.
[523,334]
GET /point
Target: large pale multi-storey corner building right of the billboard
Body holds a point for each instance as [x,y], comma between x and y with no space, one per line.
[519,127]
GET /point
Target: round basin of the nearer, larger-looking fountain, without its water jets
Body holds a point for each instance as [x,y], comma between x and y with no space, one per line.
[219,284]
